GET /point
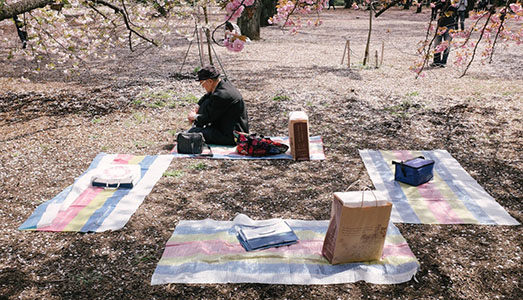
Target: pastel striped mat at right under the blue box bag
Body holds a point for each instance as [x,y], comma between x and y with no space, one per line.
[451,197]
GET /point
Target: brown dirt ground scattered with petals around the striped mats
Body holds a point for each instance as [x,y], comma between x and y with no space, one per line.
[52,126]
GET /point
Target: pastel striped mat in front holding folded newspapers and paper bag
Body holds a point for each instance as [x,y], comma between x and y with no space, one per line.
[208,251]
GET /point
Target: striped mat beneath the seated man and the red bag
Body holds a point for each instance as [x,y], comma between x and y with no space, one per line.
[229,152]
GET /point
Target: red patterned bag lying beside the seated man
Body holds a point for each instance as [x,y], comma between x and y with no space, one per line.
[254,145]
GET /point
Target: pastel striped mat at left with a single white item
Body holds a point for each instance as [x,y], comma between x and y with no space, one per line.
[84,208]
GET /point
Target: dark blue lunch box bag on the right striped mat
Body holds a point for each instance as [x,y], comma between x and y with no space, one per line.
[414,171]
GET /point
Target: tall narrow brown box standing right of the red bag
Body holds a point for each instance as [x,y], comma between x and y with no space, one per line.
[299,135]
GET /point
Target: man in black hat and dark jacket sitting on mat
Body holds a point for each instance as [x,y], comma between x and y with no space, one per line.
[220,111]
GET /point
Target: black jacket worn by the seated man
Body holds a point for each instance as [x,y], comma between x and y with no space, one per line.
[224,111]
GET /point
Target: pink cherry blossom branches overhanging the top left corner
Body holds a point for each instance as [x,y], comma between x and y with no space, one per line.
[76,30]
